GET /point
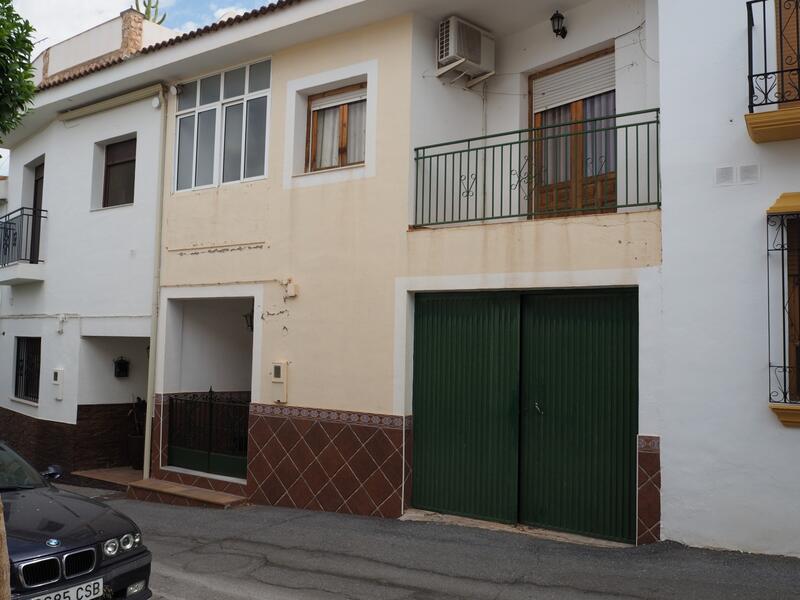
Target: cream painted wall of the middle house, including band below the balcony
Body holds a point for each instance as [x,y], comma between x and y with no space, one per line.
[347,244]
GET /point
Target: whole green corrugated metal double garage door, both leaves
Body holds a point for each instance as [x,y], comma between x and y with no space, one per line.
[525,408]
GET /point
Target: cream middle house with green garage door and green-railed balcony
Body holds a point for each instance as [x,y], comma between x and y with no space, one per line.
[369,248]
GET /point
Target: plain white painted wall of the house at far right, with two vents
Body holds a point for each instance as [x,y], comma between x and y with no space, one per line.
[730,474]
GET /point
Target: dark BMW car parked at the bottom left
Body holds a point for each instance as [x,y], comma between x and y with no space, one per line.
[64,546]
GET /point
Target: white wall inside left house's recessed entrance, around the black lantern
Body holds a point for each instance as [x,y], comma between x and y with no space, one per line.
[96,381]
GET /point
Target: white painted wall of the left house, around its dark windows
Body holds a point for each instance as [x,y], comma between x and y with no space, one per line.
[98,264]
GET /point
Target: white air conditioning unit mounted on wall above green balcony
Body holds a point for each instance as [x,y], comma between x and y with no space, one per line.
[464,43]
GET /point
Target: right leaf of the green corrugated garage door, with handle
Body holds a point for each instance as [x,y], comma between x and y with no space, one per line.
[579,412]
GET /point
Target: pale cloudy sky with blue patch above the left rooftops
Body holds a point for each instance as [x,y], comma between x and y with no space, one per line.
[57,20]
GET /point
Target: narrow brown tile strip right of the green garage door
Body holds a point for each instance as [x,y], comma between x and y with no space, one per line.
[648,490]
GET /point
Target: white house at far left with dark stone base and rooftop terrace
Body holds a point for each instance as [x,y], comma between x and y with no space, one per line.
[77,253]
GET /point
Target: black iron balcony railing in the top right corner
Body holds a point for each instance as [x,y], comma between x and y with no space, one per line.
[773,52]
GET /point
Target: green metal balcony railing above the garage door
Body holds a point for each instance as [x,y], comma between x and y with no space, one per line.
[602,165]
